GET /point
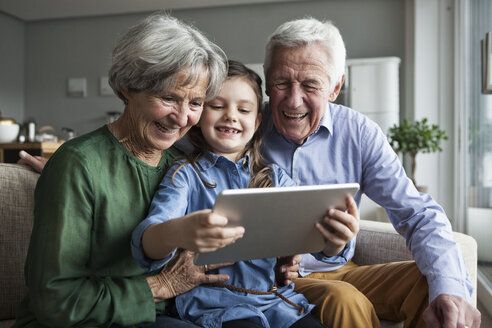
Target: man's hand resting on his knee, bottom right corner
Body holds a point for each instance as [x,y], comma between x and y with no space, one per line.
[449,311]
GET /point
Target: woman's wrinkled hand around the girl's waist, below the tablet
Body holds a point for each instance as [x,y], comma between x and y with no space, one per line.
[181,275]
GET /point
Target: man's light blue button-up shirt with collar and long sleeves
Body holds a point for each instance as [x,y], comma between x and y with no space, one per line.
[349,147]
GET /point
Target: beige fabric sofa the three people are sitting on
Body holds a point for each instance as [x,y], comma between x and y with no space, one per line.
[377,242]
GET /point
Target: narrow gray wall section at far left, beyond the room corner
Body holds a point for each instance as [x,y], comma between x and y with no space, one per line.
[12,67]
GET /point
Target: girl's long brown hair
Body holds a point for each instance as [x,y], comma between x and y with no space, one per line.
[261,173]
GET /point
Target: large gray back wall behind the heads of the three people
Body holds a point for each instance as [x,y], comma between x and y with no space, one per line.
[59,49]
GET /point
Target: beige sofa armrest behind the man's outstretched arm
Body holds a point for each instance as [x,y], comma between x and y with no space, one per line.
[378,242]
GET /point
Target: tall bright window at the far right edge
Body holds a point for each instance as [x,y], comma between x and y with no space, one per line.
[479,155]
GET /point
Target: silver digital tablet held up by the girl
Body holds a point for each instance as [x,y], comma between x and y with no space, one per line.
[278,221]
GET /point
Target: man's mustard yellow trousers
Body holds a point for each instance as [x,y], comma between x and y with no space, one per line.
[356,296]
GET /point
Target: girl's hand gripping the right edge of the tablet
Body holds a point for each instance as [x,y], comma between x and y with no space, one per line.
[339,227]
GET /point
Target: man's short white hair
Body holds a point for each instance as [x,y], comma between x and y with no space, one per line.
[306,31]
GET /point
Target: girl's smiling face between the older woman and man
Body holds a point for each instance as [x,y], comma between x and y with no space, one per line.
[230,120]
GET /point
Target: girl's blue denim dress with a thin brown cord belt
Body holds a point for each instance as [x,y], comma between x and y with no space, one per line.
[205,305]
